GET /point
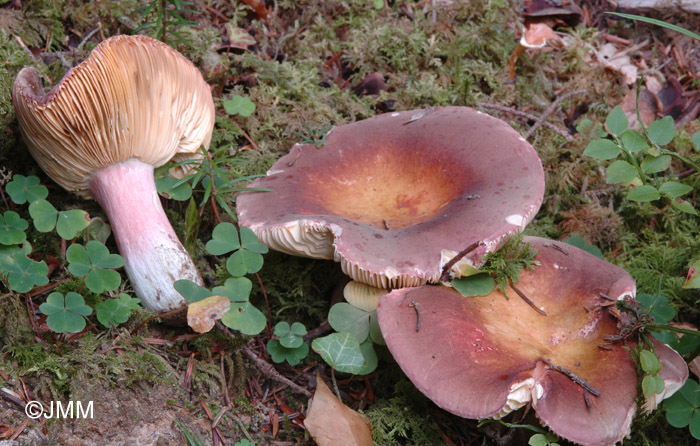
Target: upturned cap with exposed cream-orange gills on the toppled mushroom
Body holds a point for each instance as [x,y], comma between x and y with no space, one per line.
[133,98]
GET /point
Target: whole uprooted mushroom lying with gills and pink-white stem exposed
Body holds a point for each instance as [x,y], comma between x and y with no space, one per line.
[133,105]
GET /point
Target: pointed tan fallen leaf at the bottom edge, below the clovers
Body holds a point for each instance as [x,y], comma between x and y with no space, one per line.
[332,423]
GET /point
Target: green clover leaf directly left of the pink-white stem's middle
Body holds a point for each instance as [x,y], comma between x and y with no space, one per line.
[95,262]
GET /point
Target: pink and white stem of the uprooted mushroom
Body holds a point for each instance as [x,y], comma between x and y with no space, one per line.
[153,255]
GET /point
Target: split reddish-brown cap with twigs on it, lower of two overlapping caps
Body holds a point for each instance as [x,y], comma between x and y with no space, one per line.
[485,356]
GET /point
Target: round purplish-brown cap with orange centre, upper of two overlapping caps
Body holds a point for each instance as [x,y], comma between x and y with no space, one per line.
[395,197]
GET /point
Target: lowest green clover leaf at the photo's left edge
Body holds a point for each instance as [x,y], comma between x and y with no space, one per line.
[22,273]
